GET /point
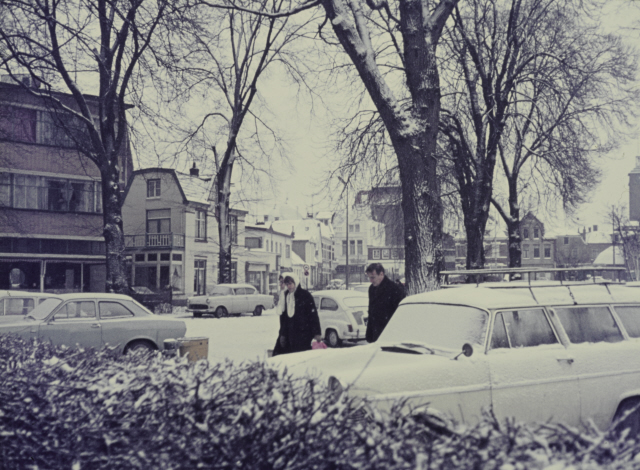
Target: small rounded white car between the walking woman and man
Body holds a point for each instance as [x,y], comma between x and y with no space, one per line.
[343,315]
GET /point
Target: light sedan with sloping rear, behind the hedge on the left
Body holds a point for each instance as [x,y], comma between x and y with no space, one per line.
[93,320]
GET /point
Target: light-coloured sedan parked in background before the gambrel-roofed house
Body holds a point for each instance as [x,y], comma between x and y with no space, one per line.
[230,299]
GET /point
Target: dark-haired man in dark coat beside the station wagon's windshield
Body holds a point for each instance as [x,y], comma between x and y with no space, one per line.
[384,297]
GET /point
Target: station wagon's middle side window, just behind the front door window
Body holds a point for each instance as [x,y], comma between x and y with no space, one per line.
[589,324]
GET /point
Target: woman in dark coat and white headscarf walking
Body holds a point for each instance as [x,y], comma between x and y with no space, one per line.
[299,322]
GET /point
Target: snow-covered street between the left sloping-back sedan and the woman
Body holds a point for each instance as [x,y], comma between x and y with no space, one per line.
[237,338]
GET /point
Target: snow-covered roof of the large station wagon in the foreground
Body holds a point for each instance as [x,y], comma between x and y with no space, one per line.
[512,297]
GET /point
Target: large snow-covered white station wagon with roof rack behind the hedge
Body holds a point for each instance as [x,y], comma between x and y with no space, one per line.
[566,353]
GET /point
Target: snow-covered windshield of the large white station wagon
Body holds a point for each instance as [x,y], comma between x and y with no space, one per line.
[443,326]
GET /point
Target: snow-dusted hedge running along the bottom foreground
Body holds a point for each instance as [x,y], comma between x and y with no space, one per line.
[76,409]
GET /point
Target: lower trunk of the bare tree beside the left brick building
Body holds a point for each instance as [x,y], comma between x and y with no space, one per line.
[117,279]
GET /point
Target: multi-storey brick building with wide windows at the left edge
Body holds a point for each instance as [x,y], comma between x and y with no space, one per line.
[51,222]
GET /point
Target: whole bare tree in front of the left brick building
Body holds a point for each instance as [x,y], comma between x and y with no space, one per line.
[55,42]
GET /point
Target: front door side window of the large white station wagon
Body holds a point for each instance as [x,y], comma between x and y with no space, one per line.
[522,328]
